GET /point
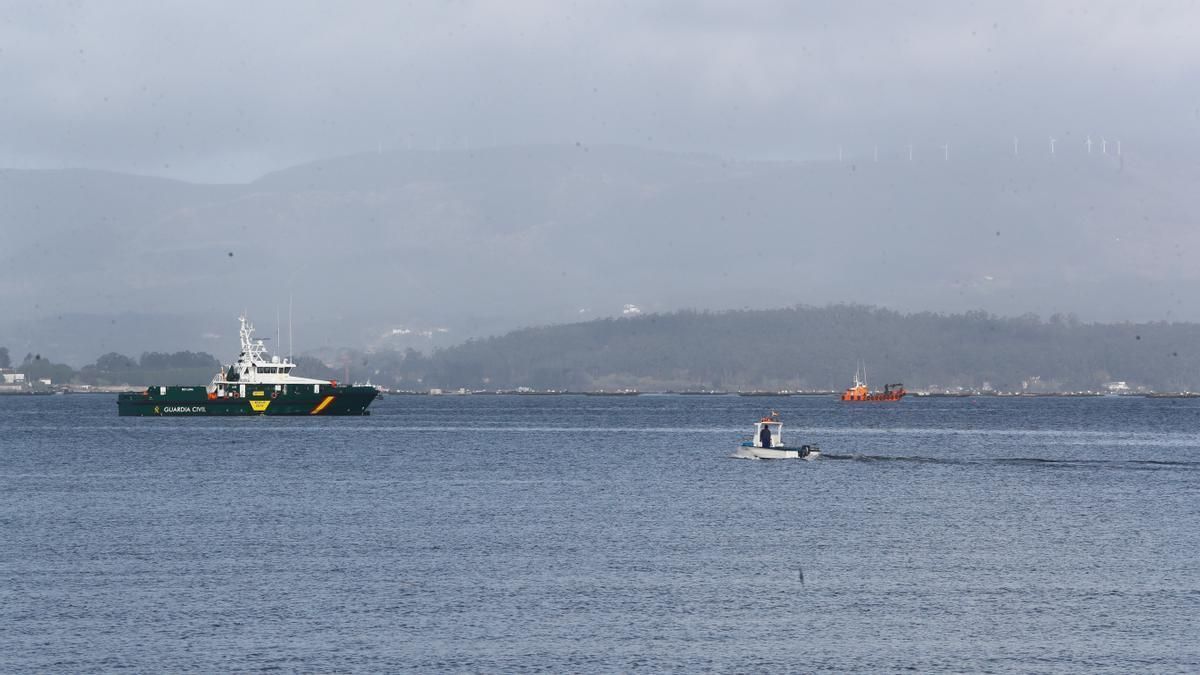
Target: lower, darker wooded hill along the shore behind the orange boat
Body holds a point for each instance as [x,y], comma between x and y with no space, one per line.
[819,349]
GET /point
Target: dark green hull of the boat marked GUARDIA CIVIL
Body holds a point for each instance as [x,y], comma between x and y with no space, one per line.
[293,401]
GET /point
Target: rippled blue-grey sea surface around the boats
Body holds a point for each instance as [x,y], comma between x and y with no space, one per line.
[581,534]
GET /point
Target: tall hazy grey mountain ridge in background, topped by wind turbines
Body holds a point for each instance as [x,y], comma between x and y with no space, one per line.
[380,247]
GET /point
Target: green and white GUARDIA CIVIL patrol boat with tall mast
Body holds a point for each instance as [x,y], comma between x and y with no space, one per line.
[254,385]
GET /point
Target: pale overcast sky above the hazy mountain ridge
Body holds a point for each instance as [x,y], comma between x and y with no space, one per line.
[227,91]
